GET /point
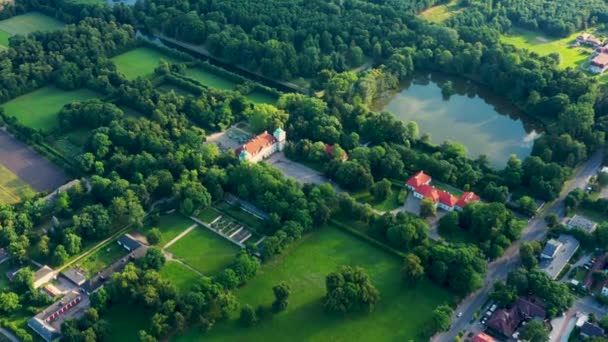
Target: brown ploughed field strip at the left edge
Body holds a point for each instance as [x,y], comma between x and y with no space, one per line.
[39,173]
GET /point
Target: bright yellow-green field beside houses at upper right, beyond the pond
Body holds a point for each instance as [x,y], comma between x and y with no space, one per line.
[542,45]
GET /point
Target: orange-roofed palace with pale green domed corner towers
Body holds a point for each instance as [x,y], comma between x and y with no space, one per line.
[262,146]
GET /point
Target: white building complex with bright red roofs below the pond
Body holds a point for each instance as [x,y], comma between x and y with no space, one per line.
[421,188]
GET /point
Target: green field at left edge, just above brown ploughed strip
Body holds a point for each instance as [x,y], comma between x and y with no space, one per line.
[39,108]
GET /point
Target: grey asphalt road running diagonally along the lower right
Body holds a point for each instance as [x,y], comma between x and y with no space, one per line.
[500,268]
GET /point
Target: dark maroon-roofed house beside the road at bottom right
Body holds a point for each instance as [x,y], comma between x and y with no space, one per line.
[506,321]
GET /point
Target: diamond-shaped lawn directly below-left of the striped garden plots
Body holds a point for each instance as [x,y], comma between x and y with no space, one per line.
[204,251]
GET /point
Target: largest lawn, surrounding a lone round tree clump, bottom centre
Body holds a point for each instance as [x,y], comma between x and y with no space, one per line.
[399,316]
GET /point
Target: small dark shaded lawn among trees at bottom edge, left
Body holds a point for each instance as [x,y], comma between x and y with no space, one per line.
[125,321]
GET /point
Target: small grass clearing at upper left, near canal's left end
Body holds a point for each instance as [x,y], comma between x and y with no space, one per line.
[140,62]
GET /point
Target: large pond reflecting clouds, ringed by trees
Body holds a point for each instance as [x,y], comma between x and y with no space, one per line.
[474,117]
